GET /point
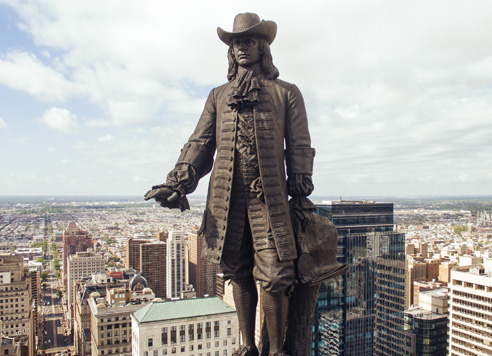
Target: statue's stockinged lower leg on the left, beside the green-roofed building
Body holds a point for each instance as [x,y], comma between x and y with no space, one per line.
[245,299]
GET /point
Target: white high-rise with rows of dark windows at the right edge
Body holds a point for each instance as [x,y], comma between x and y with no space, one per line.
[470,319]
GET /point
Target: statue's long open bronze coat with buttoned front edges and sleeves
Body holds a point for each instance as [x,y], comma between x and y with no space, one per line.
[282,140]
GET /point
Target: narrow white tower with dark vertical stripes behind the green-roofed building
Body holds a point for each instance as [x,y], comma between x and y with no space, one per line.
[176,269]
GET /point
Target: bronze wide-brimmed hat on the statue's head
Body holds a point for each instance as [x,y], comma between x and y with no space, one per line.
[249,24]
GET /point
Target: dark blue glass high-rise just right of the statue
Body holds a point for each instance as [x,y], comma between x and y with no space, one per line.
[361,312]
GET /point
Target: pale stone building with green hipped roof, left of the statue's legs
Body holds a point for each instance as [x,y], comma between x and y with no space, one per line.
[189,327]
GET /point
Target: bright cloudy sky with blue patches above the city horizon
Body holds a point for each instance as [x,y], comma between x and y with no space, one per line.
[98,96]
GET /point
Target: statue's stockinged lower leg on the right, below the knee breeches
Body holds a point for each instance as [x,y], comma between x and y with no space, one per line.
[276,307]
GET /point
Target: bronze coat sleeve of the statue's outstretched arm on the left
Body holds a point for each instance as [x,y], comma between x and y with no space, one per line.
[197,156]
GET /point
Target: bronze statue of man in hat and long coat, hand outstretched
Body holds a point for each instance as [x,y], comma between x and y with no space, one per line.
[253,135]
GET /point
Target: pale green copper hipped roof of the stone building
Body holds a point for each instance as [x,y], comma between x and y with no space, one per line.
[178,309]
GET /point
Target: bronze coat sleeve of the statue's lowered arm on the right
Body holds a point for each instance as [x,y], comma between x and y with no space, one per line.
[299,154]
